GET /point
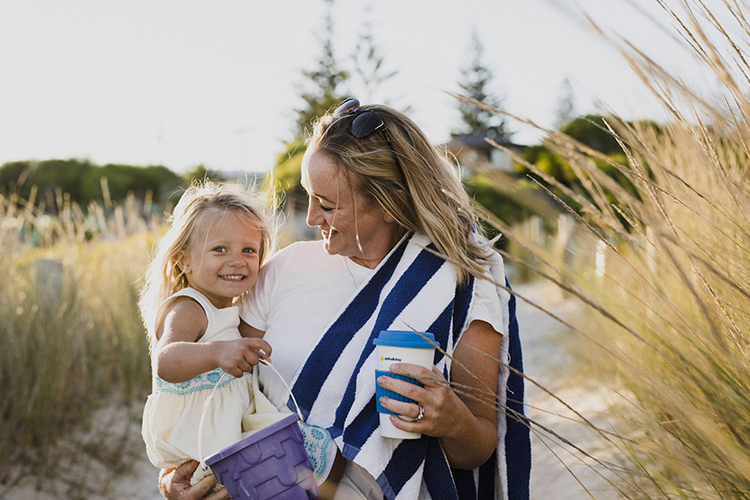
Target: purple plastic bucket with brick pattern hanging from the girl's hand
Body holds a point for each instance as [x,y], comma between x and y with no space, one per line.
[269,464]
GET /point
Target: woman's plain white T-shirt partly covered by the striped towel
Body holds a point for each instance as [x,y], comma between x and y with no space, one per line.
[300,291]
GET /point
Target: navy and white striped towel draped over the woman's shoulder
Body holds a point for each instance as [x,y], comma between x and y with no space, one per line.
[335,388]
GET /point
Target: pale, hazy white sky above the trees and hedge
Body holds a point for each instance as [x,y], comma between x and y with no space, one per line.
[184,83]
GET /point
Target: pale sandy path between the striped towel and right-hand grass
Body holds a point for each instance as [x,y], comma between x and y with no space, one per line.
[547,362]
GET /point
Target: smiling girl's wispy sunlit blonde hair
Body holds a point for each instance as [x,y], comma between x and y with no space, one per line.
[205,202]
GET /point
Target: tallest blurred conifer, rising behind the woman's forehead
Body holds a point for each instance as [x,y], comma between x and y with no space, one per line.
[324,93]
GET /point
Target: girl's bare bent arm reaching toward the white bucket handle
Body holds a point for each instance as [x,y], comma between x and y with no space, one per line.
[182,358]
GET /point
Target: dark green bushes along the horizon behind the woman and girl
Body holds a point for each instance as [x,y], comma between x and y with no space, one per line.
[83,182]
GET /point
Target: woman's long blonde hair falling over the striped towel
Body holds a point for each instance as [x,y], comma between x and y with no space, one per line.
[410,179]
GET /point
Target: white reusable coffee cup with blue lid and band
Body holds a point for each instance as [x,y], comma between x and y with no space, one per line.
[400,347]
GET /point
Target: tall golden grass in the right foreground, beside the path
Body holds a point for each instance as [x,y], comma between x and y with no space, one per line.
[665,273]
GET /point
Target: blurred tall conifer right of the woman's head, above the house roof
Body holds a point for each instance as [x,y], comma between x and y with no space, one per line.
[476,83]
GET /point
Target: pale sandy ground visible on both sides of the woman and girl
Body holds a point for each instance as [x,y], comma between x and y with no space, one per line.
[545,361]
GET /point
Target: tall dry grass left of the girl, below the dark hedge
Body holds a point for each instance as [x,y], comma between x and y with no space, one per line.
[71,339]
